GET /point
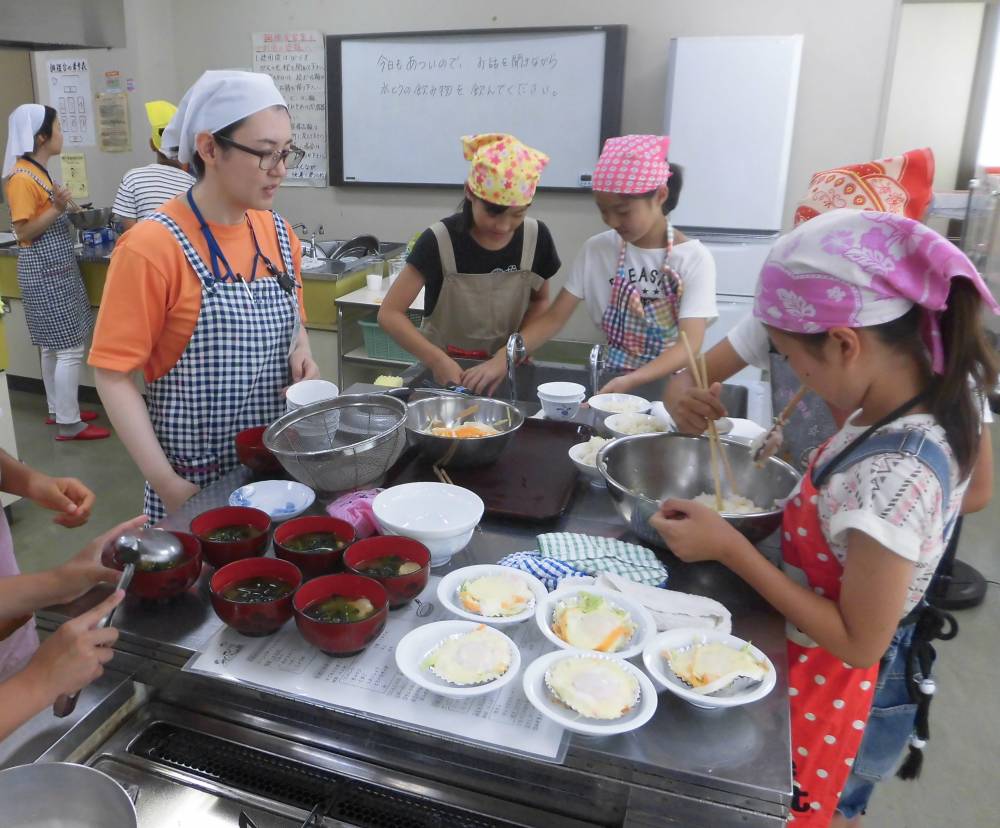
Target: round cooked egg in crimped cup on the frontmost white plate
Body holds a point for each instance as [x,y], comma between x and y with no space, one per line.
[597,688]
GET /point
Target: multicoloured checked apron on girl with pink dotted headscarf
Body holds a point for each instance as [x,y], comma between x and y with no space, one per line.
[638,328]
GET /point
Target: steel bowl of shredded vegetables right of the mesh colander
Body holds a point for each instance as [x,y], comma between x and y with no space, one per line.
[455,453]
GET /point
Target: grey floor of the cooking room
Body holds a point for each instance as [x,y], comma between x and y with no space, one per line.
[959,787]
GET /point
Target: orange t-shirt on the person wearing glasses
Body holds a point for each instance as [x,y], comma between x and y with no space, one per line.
[152,297]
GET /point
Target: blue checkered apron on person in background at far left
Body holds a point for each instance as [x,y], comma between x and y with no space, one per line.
[56,306]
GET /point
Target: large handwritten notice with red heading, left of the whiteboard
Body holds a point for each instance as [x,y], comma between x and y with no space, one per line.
[297,62]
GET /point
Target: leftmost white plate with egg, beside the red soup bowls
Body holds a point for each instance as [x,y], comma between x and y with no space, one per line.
[458,659]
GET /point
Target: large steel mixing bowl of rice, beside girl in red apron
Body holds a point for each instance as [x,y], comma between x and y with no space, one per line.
[642,471]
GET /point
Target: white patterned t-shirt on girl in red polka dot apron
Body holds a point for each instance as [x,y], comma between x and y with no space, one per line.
[895,499]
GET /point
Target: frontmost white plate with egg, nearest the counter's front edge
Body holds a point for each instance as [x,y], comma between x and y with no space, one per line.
[590,693]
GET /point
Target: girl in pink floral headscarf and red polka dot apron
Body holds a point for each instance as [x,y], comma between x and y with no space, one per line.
[878,313]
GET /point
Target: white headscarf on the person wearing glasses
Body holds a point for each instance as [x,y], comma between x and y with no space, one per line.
[217,99]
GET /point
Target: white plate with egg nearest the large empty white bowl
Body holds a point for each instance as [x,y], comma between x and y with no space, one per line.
[491,594]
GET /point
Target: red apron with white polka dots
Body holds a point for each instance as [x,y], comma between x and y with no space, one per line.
[829,701]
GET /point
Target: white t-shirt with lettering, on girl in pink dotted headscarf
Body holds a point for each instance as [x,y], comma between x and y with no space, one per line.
[596,264]
